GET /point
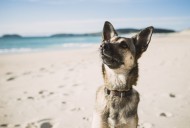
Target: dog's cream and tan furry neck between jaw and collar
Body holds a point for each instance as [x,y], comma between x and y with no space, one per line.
[120,80]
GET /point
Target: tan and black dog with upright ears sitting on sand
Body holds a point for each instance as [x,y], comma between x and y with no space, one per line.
[117,101]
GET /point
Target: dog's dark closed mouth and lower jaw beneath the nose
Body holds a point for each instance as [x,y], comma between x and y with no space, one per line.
[110,60]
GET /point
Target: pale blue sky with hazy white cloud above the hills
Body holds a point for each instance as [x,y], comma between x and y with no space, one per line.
[46,17]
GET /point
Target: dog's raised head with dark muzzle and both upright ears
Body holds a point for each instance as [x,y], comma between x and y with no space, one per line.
[120,52]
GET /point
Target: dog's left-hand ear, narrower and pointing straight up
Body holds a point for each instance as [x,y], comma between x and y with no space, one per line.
[108,31]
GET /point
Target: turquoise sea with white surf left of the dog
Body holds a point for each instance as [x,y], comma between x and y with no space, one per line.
[27,44]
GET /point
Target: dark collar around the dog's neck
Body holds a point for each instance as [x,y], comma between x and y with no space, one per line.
[120,94]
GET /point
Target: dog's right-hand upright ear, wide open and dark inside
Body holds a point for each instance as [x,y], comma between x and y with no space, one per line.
[142,40]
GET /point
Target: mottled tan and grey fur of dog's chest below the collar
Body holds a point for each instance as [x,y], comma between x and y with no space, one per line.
[121,111]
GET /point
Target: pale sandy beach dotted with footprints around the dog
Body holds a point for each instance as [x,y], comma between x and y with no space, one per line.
[57,89]
